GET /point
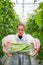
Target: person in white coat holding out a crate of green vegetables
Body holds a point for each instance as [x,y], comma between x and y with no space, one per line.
[20,37]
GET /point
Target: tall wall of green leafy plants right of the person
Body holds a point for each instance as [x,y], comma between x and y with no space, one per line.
[34,26]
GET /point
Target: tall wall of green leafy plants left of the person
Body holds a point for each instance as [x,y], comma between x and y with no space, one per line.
[8,20]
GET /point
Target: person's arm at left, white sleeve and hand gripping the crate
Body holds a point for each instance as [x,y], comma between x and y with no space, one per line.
[5,43]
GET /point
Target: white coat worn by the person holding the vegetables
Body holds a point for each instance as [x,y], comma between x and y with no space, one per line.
[18,59]
